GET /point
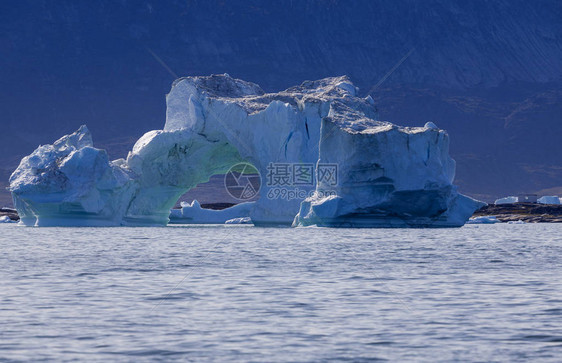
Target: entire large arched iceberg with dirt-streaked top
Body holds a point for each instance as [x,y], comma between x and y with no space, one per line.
[379,174]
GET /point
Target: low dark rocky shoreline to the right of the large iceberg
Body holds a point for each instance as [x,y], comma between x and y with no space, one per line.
[525,212]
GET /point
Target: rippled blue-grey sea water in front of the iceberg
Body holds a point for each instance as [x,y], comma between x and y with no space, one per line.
[236,293]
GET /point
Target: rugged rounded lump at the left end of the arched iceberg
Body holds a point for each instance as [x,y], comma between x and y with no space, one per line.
[71,183]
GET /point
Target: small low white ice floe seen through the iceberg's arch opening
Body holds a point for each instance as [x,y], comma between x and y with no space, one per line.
[194,214]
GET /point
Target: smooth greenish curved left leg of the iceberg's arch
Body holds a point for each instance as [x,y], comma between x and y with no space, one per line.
[167,165]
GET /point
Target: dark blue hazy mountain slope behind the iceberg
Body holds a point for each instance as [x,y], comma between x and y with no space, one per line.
[487,71]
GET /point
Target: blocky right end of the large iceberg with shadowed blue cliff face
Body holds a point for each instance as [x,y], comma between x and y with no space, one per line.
[389,177]
